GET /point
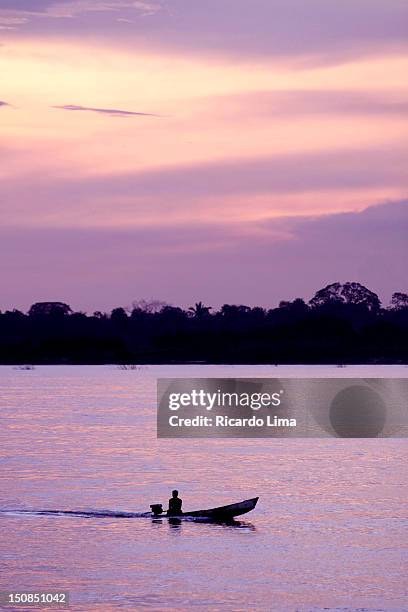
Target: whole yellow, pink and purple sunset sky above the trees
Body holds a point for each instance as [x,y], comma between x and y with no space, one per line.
[228,151]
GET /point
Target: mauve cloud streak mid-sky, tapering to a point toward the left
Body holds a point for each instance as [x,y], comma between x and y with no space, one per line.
[295,173]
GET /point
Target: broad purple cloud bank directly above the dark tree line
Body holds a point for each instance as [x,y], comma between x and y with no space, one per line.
[257,263]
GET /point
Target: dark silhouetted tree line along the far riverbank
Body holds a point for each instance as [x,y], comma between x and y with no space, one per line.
[342,323]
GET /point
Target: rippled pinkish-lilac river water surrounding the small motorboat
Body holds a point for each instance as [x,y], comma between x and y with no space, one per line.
[329,533]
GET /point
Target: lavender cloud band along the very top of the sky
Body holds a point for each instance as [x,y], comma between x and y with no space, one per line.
[309,33]
